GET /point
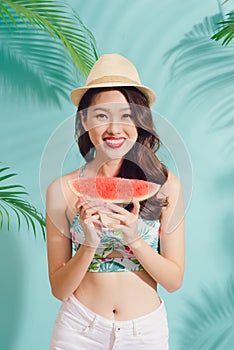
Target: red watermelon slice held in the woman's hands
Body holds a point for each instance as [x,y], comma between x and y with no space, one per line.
[113,189]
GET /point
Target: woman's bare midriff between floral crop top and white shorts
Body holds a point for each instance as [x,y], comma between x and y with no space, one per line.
[118,295]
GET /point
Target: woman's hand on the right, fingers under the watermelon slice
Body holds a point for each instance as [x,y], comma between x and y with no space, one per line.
[126,221]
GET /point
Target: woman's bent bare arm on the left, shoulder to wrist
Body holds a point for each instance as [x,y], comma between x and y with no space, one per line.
[65,272]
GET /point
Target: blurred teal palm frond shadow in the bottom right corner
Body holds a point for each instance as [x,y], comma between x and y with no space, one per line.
[208,324]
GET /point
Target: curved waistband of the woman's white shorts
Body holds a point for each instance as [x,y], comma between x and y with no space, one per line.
[79,308]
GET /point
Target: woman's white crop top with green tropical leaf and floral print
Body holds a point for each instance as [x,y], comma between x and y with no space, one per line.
[112,240]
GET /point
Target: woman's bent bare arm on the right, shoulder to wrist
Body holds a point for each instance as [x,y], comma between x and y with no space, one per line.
[166,268]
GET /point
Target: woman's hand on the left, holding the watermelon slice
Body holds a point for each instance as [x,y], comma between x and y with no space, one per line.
[90,221]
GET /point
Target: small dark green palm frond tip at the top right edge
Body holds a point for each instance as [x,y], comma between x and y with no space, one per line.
[226,30]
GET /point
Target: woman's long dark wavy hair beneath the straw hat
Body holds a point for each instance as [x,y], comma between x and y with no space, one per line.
[141,161]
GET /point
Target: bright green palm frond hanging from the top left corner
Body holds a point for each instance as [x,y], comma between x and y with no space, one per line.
[54,18]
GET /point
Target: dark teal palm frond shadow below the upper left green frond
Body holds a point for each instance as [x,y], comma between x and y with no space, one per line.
[34,69]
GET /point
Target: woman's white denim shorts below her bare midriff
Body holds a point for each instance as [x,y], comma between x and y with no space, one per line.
[79,328]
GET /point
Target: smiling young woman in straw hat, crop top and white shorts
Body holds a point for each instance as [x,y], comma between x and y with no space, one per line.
[108,286]
